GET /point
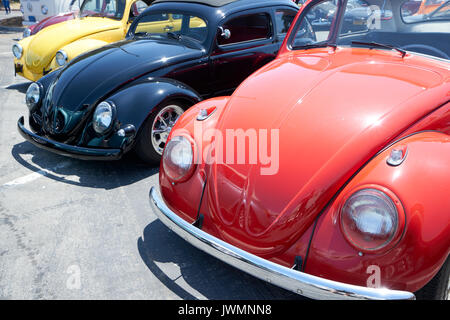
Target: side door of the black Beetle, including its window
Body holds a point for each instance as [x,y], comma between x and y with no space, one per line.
[244,42]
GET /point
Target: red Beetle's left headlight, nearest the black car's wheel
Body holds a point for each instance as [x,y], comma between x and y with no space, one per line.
[178,159]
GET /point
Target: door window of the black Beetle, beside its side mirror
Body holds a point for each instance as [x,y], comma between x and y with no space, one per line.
[245,28]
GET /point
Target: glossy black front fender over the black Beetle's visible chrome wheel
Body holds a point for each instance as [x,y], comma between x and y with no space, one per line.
[136,101]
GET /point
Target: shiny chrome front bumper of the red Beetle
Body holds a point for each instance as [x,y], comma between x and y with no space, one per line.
[292,280]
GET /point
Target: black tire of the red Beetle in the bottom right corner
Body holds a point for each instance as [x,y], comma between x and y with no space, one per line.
[438,287]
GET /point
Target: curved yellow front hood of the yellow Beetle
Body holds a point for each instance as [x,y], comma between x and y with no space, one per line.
[44,45]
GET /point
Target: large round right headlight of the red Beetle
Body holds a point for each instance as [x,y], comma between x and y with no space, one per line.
[370,219]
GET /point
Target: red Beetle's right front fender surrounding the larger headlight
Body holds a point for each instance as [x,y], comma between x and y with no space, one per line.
[421,183]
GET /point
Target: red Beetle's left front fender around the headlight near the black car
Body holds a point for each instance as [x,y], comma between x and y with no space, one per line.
[184,197]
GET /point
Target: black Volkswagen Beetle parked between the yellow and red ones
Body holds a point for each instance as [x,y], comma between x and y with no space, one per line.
[130,93]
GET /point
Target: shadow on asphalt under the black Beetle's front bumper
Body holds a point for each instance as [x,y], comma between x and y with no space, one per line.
[94,174]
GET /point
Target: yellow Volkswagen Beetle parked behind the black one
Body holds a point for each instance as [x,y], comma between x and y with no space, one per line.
[99,22]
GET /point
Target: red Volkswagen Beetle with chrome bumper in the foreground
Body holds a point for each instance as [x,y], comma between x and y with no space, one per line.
[327,172]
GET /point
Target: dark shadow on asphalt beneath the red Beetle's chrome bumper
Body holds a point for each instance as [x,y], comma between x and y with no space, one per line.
[205,274]
